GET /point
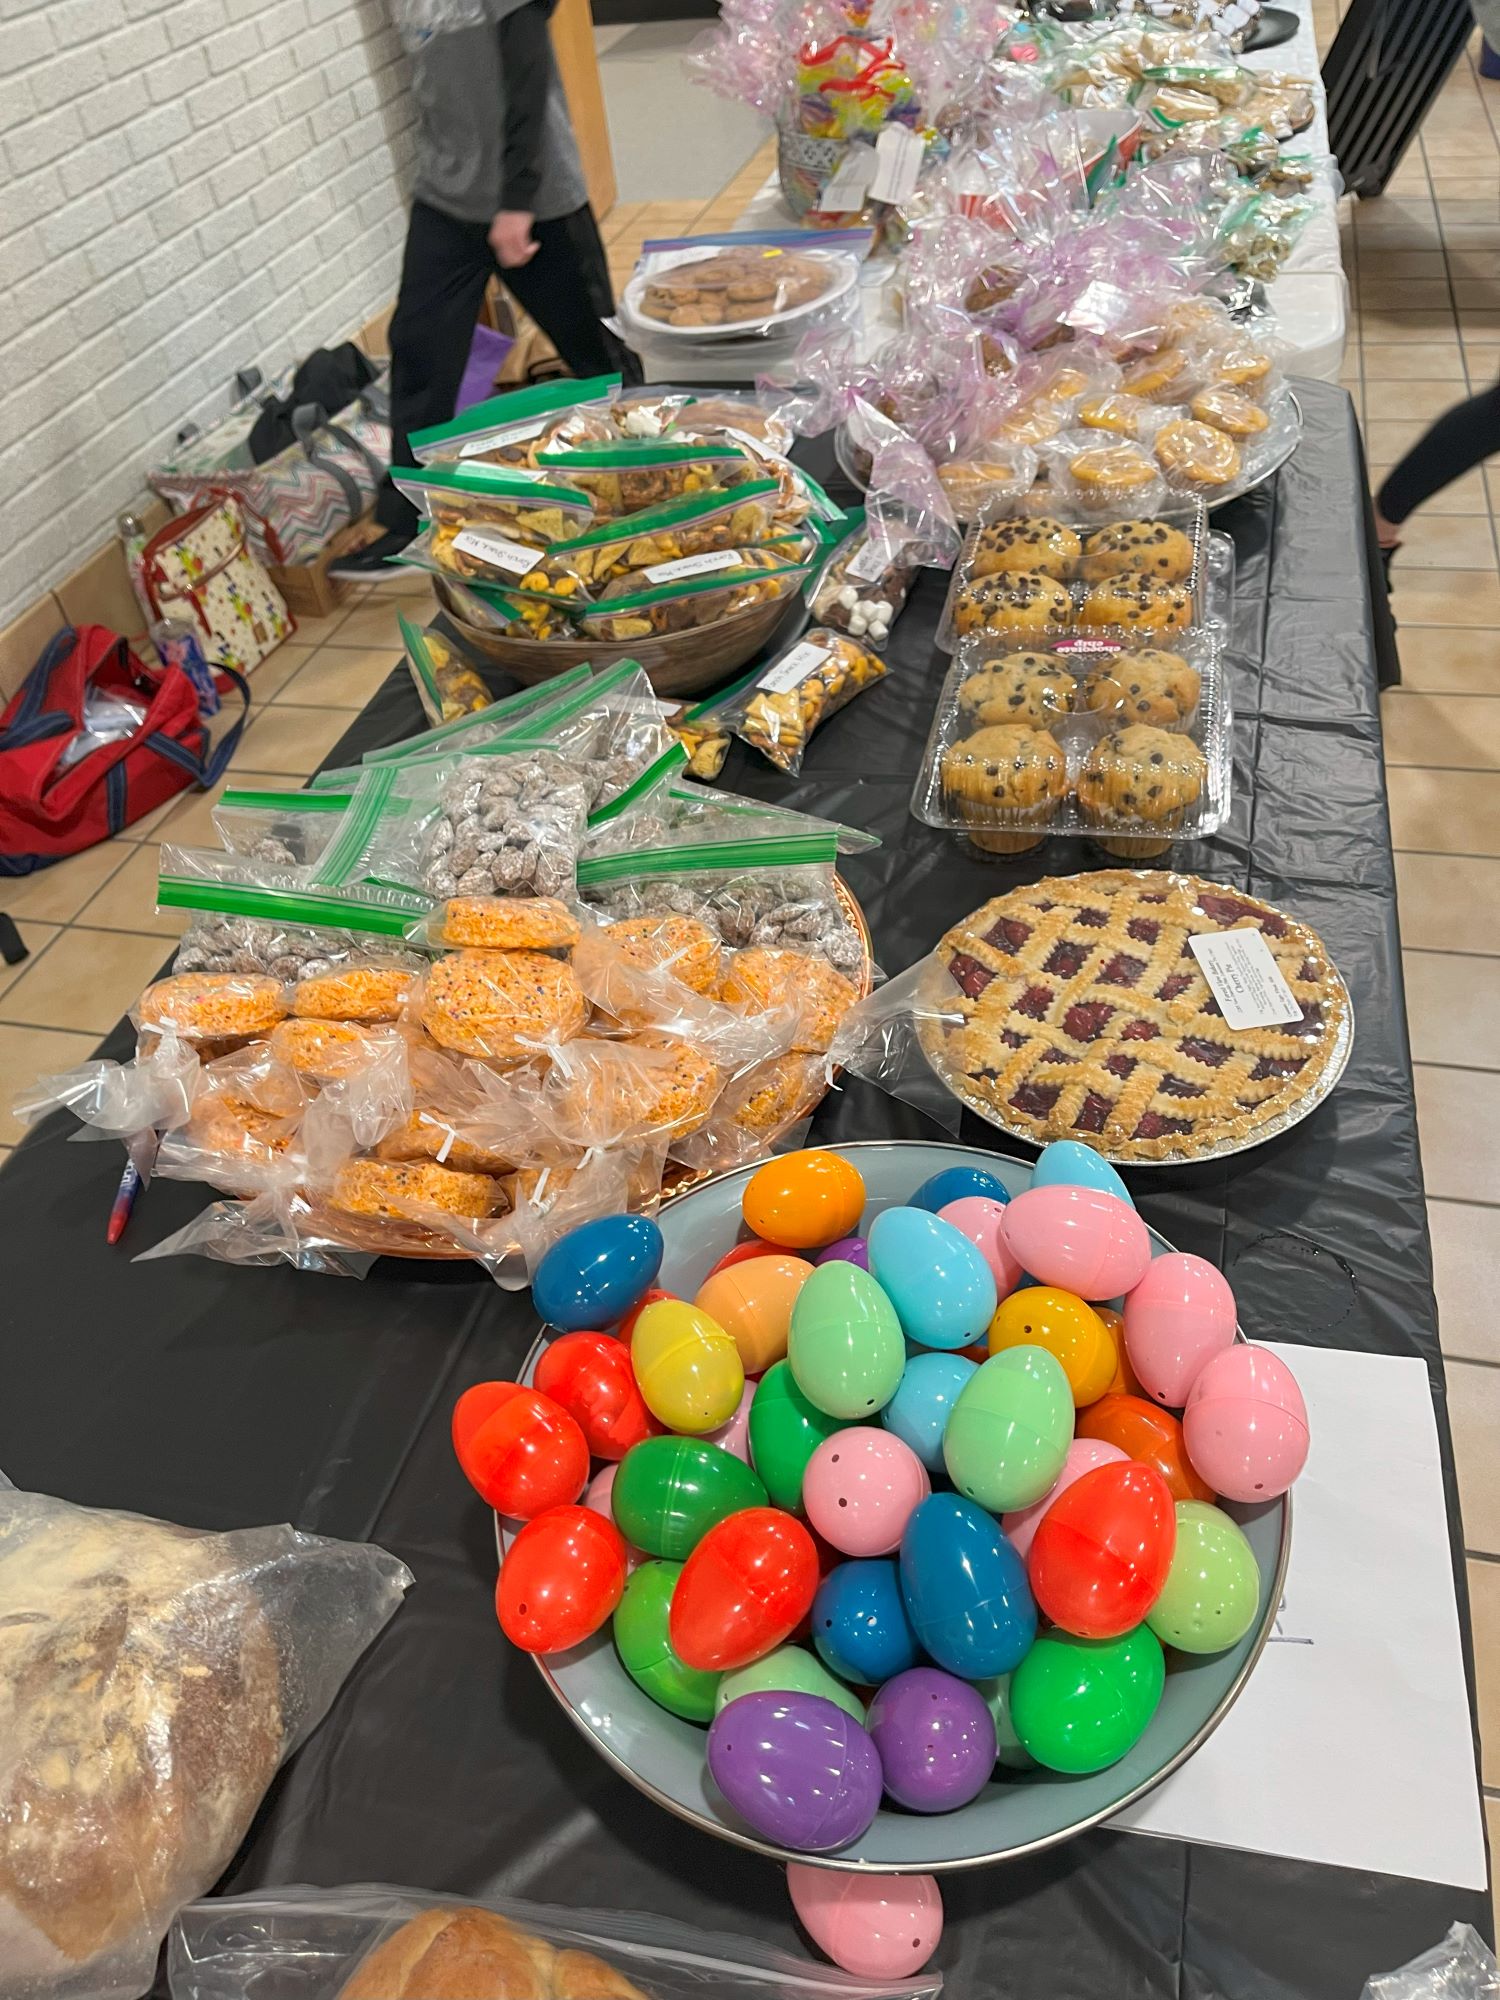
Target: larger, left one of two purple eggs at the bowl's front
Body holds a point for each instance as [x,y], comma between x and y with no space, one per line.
[797,1769]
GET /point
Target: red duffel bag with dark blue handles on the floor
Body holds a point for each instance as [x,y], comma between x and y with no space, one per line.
[53,807]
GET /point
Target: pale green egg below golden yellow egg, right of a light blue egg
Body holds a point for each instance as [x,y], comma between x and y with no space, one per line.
[1011,1431]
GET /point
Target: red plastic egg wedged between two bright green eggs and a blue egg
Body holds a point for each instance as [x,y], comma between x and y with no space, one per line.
[743,1591]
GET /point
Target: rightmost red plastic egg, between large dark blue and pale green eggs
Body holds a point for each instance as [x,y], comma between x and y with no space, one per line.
[1103,1551]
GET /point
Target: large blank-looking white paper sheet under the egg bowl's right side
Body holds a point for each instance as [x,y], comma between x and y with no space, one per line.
[1351,1743]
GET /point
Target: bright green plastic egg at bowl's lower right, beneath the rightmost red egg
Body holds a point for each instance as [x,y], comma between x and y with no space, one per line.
[1081,1703]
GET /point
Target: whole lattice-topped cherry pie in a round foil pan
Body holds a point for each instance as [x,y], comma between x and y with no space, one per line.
[1073,1009]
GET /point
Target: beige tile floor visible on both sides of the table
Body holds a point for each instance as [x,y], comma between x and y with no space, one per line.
[1425,331]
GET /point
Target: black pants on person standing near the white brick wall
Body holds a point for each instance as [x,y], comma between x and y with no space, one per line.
[445,271]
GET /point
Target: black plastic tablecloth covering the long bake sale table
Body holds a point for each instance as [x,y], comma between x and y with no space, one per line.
[225,1397]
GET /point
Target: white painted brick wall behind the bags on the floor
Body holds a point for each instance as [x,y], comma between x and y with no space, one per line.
[193,187]
